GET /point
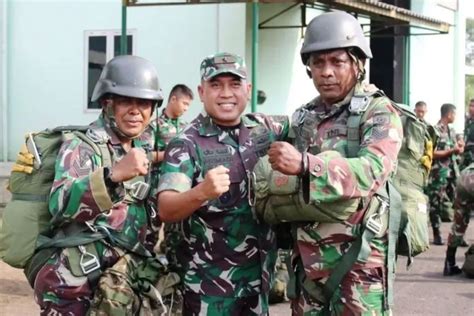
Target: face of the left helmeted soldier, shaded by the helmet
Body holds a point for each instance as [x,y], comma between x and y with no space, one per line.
[132,115]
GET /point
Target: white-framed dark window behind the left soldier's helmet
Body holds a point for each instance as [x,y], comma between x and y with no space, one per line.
[100,47]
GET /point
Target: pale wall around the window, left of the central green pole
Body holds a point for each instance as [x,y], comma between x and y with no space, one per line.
[45,49]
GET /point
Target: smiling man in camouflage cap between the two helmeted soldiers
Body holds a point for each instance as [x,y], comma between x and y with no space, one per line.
[228,256]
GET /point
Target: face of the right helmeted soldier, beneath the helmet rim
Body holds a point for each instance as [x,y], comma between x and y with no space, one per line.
[334,74]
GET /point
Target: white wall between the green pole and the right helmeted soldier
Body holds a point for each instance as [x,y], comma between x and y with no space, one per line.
[280,72]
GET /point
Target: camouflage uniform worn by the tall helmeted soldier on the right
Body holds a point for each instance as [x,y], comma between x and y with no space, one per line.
[322,131]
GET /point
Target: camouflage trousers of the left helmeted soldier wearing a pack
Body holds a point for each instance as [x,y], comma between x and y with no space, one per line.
[60,290]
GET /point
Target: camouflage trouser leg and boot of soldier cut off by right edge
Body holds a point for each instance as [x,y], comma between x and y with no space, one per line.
[464,203]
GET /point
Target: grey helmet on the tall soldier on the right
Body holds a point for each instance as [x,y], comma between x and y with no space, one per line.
[334,30]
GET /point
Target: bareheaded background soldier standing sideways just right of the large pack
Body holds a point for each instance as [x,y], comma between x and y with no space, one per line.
[444,171]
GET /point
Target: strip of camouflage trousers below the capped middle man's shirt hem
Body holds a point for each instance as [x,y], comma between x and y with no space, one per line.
[202,305]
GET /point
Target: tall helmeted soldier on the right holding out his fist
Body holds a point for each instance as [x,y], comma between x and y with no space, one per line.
[334,52]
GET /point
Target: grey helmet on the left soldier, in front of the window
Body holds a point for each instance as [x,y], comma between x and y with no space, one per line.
[129,76]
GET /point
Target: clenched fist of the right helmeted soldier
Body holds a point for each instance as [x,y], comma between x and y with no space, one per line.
[285,158]
